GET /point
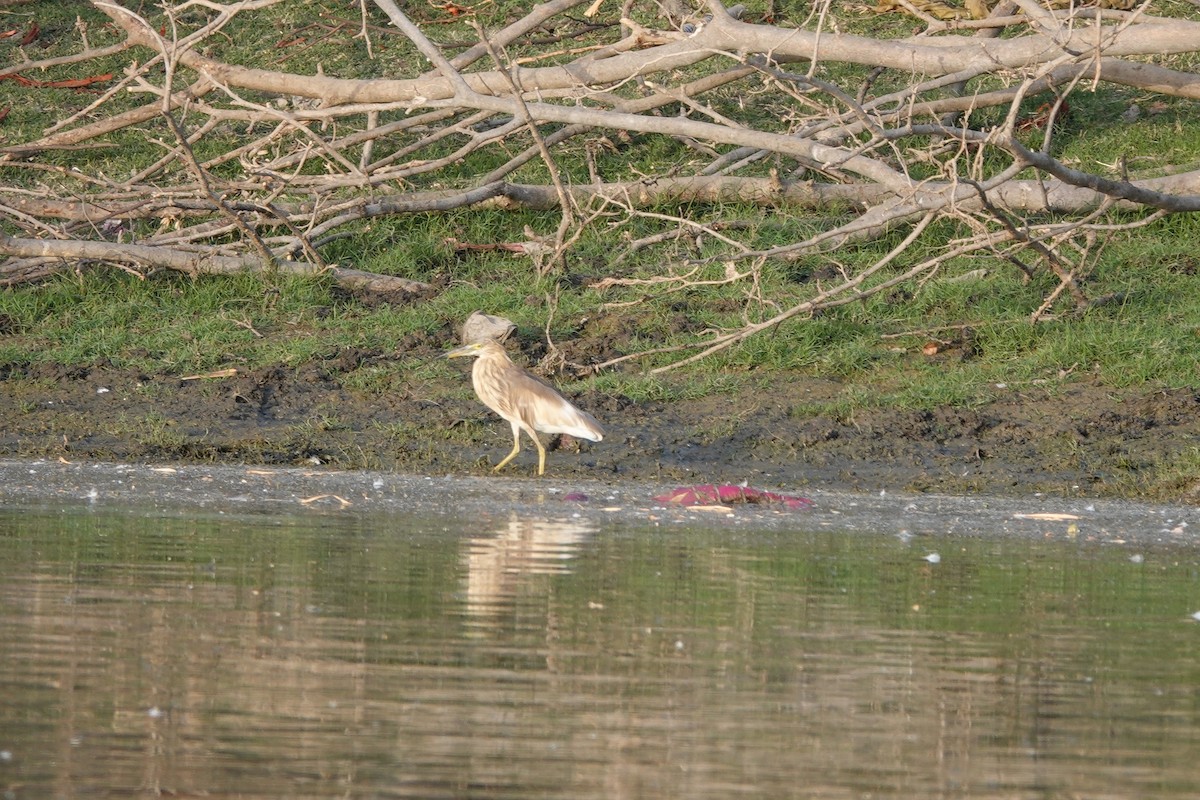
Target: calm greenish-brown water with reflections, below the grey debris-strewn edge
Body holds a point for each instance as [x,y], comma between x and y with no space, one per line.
[520,657]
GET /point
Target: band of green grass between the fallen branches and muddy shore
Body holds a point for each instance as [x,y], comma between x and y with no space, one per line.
[177,326]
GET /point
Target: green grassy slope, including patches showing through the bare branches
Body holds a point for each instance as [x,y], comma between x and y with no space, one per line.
[1149,336]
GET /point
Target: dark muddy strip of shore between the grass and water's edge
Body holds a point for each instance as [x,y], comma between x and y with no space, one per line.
[1084,440]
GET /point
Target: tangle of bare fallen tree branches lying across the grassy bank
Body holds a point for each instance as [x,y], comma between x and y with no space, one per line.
[265,170]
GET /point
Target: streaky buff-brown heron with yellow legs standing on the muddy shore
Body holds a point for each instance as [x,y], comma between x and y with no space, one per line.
[526,402]
